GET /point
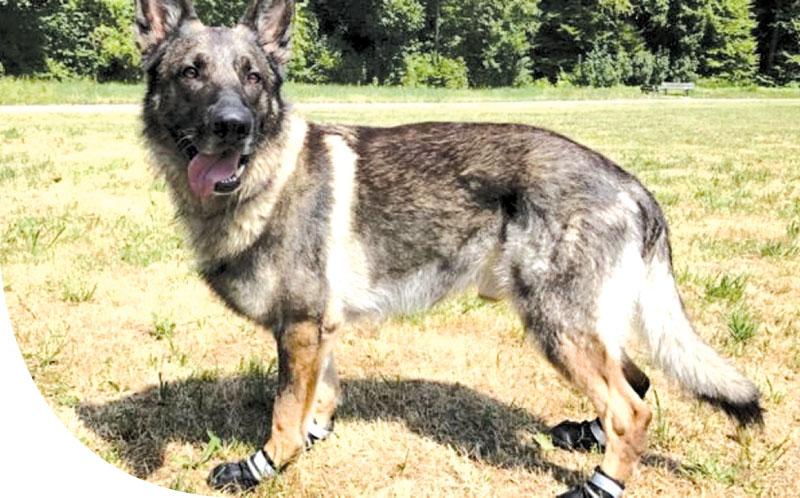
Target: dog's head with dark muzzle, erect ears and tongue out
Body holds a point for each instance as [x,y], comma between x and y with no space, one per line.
[213,93]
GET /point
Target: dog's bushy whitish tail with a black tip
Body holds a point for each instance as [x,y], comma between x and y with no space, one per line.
[677,348]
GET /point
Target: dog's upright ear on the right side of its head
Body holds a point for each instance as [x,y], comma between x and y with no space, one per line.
[272,22]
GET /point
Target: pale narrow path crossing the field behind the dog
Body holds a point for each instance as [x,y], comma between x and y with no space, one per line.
[518,106]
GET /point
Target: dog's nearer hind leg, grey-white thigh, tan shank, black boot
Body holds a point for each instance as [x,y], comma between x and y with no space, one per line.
[580,304]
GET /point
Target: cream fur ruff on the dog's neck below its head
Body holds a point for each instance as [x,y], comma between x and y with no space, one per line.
[222,227]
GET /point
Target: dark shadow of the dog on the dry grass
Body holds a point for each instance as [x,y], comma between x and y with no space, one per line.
[238,408]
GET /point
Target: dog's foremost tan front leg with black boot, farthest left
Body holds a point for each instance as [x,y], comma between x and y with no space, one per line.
[302,350]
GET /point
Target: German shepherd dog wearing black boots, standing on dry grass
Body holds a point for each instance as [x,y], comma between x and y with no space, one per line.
[303,227]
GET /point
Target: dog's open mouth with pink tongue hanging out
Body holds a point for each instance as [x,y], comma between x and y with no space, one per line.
[216,174]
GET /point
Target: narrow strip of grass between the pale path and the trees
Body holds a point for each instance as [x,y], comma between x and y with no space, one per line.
[23,91]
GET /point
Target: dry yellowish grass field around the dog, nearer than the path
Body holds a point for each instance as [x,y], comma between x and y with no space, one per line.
[150,371]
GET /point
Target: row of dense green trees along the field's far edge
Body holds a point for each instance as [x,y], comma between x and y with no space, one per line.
[450,43]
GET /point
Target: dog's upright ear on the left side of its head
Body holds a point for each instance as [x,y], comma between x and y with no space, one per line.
[157,20]
